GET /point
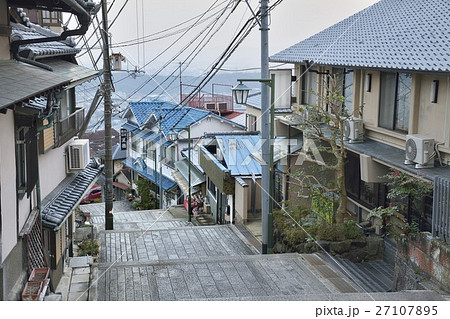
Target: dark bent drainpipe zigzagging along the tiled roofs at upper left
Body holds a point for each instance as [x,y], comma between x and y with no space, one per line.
[84,19]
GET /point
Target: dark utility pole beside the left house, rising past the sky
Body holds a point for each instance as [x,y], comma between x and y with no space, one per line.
[109,221]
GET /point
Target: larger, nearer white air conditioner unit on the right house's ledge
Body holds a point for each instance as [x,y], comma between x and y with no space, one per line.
[419,151]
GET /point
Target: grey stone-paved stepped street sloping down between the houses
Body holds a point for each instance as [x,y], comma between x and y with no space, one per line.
[152,255]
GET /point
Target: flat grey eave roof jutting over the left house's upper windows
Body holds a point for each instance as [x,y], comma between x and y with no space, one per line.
[20,82]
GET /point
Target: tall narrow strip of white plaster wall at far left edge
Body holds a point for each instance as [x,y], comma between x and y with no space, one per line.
[7,183]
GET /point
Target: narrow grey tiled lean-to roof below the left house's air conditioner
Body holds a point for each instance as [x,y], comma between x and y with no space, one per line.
[60,207]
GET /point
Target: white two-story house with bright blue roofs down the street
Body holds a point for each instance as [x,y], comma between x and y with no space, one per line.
[151,155]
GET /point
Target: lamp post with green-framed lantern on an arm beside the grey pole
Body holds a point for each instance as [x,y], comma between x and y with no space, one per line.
[240,93]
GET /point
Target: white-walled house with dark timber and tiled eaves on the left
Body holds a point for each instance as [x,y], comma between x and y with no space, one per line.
[42,175]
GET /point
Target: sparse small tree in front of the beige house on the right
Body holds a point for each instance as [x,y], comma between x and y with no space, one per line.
[324,145]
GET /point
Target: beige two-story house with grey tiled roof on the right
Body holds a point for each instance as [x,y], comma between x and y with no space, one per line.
[393,60]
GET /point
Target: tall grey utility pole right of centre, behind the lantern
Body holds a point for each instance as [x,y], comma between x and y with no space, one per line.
[267,217]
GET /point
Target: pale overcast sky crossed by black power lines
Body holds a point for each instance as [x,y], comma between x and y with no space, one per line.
[291,22]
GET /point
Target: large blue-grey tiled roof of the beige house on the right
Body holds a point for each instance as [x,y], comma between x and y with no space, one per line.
[391,34]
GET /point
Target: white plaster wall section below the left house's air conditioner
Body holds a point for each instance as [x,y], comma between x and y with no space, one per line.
[52,169]
